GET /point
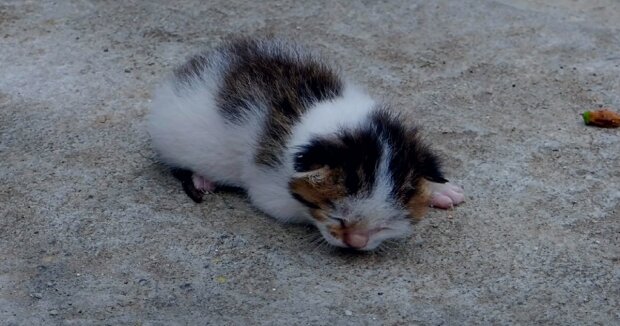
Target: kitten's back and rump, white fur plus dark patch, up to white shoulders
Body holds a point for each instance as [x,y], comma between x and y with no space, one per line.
[237,105]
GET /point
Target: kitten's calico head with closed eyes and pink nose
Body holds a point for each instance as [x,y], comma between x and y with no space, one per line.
[366,185]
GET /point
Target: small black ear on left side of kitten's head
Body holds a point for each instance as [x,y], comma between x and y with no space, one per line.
[317,154]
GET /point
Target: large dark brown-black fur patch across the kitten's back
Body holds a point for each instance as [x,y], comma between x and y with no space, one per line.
[280,79]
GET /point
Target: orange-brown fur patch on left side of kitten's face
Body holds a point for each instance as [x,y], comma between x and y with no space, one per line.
[318,189]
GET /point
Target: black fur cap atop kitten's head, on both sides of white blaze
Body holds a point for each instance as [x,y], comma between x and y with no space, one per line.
[358,153]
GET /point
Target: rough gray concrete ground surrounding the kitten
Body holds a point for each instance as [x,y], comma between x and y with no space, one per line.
[93,231]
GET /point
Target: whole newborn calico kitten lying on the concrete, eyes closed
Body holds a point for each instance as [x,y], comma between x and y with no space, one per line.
[307,145]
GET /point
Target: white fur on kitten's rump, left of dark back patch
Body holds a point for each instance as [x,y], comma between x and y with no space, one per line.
[188,132]
